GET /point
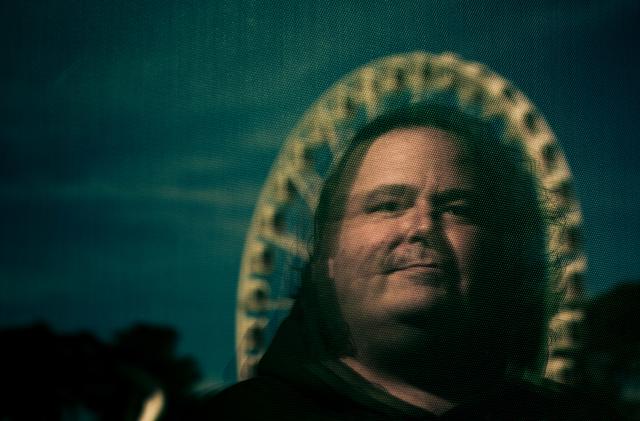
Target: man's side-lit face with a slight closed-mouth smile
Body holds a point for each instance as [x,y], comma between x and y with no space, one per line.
[409,244]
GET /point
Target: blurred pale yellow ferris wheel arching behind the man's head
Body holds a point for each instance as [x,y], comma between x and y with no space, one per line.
[276,243]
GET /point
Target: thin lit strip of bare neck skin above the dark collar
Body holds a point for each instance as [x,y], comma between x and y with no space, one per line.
[401,389]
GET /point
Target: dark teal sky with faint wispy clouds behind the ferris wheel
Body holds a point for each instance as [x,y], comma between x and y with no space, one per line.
[136,136]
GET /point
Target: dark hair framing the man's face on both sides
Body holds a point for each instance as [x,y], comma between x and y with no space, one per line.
[518,261]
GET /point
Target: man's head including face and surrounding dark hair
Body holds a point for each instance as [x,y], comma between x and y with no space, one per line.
[429,237]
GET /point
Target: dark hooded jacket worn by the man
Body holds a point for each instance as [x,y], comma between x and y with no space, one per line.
[298,381]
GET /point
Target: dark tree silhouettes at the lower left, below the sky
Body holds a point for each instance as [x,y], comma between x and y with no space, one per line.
[48,376]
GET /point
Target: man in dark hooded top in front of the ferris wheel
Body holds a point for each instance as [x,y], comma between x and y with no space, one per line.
[425,295]
